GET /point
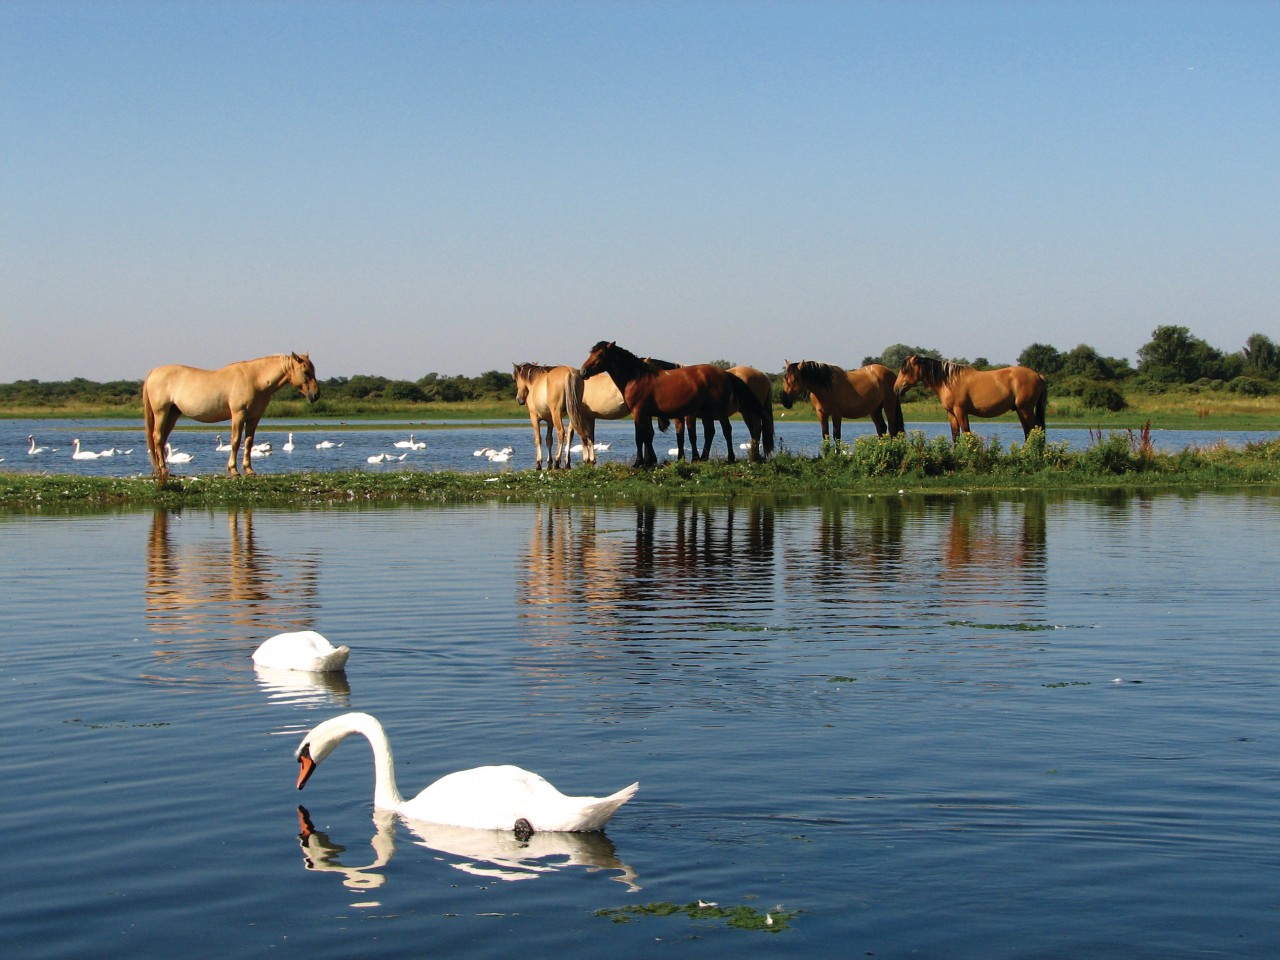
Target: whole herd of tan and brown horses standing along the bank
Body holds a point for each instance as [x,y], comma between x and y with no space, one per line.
[615,383]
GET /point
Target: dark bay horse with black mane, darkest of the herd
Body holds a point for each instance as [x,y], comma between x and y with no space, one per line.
[702,391]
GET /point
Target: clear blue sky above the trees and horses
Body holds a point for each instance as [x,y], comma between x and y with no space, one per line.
[414,188]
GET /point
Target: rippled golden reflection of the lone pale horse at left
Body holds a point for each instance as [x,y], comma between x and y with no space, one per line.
[199,584]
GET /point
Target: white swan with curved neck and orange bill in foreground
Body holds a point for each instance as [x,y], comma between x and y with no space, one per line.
[486,798]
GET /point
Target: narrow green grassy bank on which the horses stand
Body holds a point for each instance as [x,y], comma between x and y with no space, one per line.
[868,467]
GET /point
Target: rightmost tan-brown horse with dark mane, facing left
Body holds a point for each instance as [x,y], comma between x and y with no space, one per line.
[967,392]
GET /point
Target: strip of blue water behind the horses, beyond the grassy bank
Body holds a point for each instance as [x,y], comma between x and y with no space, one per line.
[446,450]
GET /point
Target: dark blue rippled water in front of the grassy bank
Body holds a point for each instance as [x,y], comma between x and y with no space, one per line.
[936,728]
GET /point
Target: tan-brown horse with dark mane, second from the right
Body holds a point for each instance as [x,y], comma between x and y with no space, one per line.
[838,394]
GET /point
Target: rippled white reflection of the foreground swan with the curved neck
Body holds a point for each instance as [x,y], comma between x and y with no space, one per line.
[492,854]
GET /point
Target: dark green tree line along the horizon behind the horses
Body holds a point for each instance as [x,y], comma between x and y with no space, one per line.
[1173,358]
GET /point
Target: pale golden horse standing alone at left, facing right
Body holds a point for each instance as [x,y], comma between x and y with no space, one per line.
[237,392]
